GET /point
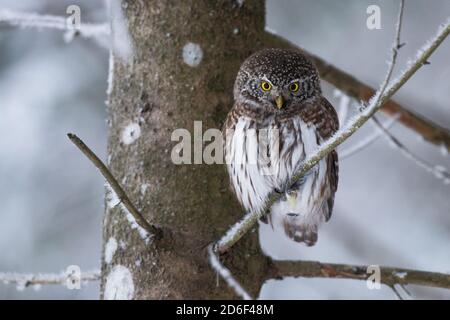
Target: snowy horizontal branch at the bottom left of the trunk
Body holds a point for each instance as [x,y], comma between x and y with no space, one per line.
[24,280]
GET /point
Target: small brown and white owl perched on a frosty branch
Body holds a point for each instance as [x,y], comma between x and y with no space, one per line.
[280,117]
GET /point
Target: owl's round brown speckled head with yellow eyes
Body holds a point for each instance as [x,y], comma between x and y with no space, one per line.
[275,79]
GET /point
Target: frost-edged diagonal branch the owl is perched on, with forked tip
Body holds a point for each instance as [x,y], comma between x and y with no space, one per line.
[386,91]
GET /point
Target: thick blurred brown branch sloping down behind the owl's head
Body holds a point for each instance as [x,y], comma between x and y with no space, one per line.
[355,88]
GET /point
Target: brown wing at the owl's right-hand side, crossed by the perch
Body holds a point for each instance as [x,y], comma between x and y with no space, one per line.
[326,129]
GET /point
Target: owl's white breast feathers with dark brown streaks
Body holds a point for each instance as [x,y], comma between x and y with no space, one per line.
[260,160]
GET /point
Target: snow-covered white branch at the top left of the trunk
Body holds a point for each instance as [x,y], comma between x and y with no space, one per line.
[37,21]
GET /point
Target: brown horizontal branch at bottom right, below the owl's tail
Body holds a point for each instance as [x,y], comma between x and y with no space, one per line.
[389,276]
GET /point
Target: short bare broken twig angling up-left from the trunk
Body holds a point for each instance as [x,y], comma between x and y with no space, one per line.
[121,194]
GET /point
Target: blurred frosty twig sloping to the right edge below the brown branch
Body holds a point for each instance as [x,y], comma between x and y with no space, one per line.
[438,171]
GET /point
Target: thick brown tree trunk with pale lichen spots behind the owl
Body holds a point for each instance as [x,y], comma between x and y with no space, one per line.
[158,92]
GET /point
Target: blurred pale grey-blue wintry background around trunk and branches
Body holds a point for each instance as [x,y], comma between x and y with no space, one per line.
[388,210]
